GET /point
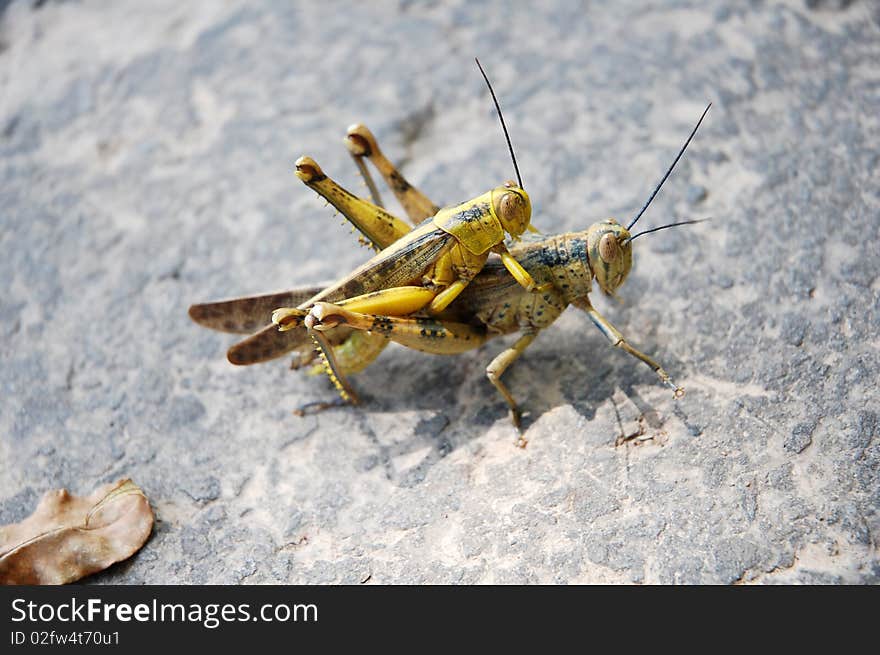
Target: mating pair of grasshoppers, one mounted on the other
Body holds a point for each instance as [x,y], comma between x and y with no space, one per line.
[436,287]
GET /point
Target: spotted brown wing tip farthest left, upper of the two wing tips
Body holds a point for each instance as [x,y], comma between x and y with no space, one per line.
[244,315]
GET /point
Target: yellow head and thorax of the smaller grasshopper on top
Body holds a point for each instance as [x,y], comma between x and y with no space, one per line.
[479,224]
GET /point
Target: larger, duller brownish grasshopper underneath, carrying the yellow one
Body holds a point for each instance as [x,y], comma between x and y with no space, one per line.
[493,304]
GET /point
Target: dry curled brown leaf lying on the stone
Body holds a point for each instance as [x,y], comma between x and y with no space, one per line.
[69,537]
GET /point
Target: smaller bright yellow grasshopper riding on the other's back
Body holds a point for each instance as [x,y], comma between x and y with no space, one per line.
[429,266]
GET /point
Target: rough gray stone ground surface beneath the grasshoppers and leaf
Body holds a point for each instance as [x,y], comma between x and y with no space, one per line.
[146,157]
